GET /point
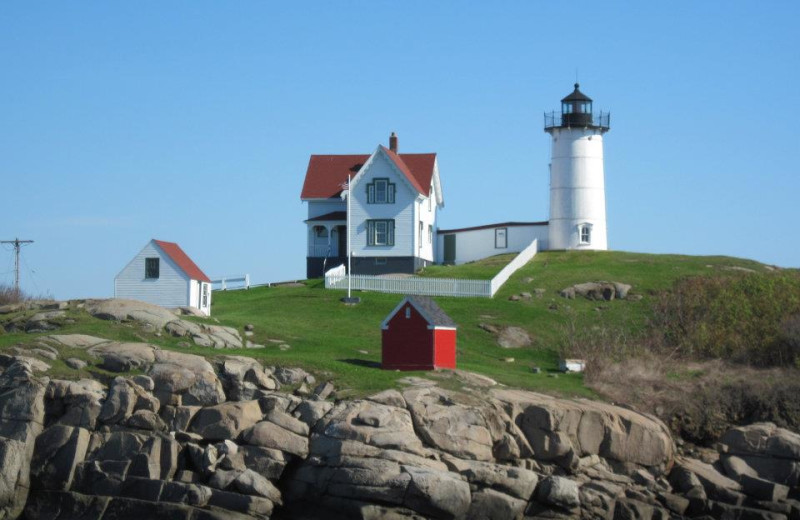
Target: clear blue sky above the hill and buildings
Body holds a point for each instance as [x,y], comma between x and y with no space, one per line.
[193,122]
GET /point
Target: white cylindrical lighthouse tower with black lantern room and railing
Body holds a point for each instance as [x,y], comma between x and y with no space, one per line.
[577,186]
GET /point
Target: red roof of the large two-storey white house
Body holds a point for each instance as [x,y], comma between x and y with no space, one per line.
[327,173]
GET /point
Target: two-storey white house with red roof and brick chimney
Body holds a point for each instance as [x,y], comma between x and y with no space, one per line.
[395,198]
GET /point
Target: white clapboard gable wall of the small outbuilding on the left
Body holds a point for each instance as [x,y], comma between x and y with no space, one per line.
[171,289]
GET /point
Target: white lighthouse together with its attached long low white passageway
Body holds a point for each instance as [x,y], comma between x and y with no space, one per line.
[577,194]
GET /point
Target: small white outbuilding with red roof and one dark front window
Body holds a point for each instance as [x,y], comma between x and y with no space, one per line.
[161,273]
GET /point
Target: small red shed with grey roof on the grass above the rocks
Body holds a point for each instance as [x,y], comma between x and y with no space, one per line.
[418,335]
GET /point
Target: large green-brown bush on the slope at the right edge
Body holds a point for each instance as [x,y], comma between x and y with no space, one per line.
[747,318]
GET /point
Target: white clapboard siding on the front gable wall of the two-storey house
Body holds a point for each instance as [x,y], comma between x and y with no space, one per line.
[402,211]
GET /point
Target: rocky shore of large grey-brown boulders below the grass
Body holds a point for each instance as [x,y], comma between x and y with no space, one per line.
[176,435]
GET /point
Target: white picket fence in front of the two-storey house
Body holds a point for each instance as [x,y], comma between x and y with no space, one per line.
[336,278]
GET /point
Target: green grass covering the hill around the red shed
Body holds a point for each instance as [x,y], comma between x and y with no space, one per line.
[344,343]
